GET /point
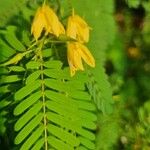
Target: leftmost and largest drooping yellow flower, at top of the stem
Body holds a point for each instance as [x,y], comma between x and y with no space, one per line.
[46,19]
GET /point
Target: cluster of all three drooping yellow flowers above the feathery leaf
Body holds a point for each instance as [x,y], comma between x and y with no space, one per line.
[77,29]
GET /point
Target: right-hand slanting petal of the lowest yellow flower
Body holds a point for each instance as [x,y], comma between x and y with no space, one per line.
[86,55]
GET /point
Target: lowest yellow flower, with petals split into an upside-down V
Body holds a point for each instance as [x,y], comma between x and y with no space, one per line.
[75,53]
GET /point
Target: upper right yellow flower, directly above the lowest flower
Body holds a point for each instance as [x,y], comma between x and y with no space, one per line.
[78,29]
